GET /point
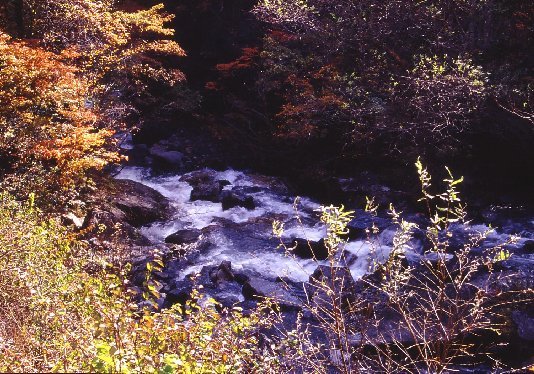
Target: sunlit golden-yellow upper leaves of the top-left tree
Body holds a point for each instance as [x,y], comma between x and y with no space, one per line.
[108,39]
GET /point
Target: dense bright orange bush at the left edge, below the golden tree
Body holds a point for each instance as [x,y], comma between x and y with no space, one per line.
[46,120]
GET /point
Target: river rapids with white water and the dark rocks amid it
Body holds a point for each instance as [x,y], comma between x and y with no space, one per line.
[238,235]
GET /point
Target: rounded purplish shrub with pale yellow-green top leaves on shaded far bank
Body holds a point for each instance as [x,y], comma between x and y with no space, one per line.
[440,98]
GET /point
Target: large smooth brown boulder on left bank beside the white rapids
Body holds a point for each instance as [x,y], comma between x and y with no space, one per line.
[139,204]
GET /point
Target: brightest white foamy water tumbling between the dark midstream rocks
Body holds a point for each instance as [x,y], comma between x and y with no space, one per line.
[266,259]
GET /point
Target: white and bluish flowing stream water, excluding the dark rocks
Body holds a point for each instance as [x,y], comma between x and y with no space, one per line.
[244,237]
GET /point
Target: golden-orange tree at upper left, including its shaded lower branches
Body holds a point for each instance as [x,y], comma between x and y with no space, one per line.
[126,56]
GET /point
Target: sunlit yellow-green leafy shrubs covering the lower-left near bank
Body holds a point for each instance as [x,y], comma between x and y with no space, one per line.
[63,309]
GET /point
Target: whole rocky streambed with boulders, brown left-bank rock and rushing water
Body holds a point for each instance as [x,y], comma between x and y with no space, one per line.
[213,226]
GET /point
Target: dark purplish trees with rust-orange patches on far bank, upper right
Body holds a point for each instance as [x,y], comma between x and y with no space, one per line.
[394,76]
